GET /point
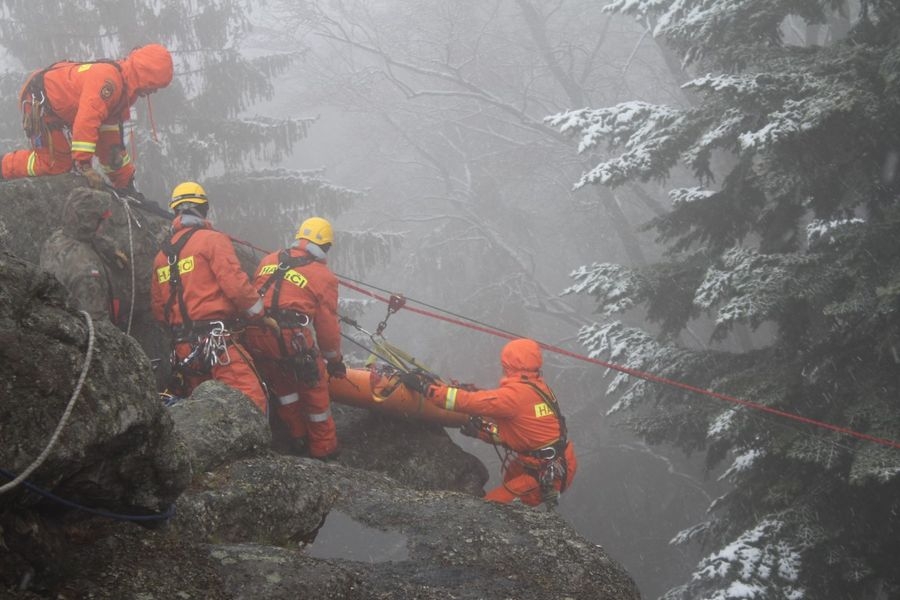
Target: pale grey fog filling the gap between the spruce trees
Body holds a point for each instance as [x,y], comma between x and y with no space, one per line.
[436,112]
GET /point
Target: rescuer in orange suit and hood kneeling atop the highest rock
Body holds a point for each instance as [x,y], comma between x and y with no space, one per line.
[73,111]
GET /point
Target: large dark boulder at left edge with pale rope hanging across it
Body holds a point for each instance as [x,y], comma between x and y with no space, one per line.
[118,448]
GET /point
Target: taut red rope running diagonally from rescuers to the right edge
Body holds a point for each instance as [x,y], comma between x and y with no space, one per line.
[627,370]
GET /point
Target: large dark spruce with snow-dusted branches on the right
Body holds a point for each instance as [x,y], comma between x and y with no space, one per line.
[801,232]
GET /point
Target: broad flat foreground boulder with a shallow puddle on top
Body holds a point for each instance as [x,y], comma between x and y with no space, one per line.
[253,529]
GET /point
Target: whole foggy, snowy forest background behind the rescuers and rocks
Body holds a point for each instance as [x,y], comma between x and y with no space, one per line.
[703,189]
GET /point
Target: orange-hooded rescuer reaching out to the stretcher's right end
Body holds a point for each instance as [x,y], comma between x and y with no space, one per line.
[523,416]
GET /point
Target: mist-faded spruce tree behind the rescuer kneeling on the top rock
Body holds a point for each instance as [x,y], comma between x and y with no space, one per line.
[201,121]
